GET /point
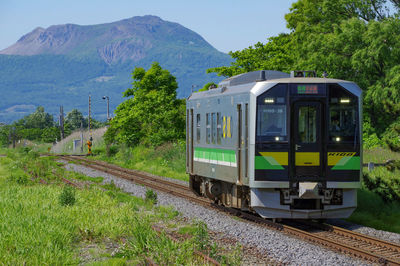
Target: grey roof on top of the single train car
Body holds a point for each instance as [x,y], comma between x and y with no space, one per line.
[245,82]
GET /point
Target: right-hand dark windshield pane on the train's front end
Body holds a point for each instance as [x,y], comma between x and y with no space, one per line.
[342,114]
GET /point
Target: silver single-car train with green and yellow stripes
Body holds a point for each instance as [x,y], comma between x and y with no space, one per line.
[283,145]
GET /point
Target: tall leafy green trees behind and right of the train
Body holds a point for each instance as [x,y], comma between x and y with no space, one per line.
[353,40]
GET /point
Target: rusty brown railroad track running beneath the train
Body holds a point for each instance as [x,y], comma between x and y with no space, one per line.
[346,241]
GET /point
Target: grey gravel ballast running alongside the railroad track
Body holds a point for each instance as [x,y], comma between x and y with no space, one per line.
[276,245]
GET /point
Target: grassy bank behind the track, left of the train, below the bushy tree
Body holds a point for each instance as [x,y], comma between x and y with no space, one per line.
[167,160]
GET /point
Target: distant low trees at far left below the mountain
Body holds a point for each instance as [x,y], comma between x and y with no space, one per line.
[41,127]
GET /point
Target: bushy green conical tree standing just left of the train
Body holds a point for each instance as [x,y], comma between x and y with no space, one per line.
[154,115]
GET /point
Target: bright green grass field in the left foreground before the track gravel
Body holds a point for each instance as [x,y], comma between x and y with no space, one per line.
[41,224]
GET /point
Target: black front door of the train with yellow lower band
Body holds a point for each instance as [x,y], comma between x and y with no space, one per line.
[307,140]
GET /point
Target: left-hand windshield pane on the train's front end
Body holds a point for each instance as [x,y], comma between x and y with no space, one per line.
[272,114]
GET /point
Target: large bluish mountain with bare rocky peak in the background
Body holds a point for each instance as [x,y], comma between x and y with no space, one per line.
[62,64]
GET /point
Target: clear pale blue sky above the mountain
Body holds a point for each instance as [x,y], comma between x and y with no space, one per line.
[228,25]
